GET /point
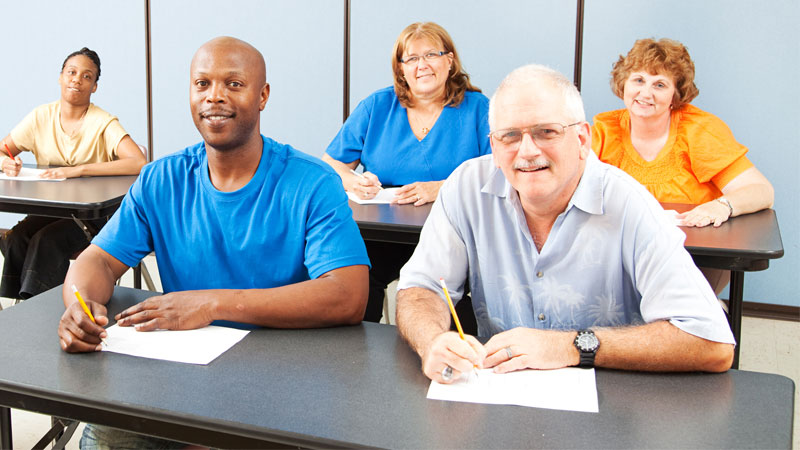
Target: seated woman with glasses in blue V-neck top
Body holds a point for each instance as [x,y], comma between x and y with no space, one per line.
[411,135]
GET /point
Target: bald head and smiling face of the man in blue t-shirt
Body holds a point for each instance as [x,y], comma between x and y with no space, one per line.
[228,92]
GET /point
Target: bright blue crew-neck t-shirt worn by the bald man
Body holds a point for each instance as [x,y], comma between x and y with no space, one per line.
[289,223]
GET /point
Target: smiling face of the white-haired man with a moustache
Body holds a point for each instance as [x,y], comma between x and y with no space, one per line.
[544,176]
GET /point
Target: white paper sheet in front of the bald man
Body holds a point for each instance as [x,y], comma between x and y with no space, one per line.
[200,346]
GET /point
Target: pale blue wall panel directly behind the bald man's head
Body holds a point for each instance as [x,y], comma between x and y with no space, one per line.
[301,41]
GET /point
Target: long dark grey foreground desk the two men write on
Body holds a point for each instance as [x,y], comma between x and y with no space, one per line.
[360,386]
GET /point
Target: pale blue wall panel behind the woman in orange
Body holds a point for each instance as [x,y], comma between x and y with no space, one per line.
[747,63]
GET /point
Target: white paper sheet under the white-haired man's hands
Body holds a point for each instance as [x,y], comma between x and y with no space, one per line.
[571,389]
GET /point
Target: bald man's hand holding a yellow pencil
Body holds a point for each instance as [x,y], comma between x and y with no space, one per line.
[76,331]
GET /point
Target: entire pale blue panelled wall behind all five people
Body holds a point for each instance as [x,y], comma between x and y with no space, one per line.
[747,57]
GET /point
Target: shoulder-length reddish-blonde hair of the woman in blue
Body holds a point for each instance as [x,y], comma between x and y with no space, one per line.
[457,80]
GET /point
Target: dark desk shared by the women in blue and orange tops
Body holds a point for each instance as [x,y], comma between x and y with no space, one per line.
[743,244]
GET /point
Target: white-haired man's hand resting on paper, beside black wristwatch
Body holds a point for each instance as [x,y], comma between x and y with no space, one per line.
[523,348]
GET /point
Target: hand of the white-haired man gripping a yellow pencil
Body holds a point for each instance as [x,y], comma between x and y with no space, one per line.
[448,349]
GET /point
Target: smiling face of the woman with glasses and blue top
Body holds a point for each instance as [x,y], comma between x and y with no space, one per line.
[426,79]
